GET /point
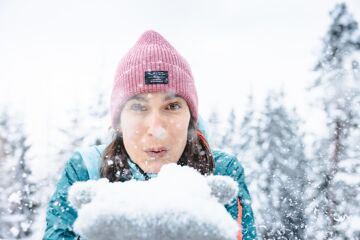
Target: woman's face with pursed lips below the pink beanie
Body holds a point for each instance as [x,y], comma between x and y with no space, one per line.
[154,128]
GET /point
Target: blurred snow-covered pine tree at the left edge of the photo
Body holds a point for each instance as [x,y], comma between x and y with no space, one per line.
[17,203]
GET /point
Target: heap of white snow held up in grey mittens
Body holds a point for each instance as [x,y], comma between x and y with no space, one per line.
[179,203]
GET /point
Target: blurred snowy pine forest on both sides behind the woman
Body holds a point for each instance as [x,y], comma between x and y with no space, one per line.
[304,185]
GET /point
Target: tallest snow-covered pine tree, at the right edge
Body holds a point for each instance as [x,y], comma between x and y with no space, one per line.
[339,87]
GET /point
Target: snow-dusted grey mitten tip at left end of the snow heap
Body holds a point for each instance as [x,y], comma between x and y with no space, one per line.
[81,193]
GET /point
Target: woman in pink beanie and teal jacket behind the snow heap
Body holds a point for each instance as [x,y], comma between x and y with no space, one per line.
[154,111]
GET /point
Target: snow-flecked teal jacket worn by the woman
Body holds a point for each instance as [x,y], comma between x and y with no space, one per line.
[85,164]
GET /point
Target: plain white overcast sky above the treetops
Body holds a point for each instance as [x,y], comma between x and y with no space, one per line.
[55,55]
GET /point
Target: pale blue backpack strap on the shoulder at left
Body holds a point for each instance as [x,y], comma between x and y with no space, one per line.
[92,160]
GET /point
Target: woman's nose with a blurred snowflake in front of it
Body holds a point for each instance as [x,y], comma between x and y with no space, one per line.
[156,125]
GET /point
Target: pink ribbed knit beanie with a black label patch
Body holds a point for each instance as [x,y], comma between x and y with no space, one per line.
[152,65]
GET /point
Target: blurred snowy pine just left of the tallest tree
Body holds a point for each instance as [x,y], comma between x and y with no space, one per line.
[281,179]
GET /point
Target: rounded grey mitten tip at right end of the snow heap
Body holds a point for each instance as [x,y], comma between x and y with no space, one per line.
[223,188]
